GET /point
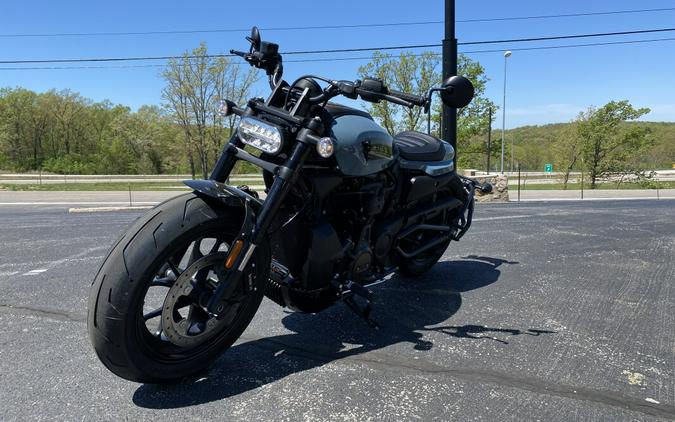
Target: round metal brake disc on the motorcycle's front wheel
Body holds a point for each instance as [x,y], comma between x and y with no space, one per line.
[185,321]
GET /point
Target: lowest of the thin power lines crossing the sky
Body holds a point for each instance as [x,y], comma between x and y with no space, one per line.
[333,59]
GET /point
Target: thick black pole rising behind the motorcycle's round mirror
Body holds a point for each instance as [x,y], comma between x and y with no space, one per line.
[449,120]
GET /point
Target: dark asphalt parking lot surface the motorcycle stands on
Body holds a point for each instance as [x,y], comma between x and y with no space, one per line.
[541,312]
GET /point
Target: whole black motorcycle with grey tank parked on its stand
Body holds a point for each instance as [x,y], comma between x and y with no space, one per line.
[346,206]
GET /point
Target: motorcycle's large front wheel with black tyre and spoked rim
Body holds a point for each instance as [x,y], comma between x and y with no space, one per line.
[147,319]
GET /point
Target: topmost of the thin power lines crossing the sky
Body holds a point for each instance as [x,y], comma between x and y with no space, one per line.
[321,27]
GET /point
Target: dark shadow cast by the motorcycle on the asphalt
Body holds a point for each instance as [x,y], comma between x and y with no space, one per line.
[404,309]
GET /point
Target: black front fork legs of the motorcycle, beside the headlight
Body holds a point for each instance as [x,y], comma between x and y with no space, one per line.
[254,229]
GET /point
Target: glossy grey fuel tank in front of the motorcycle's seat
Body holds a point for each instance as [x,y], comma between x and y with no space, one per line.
[362,146]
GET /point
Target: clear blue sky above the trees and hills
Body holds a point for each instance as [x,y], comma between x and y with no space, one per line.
[543,86]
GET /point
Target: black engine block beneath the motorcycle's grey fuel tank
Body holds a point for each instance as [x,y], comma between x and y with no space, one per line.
[334,237]
